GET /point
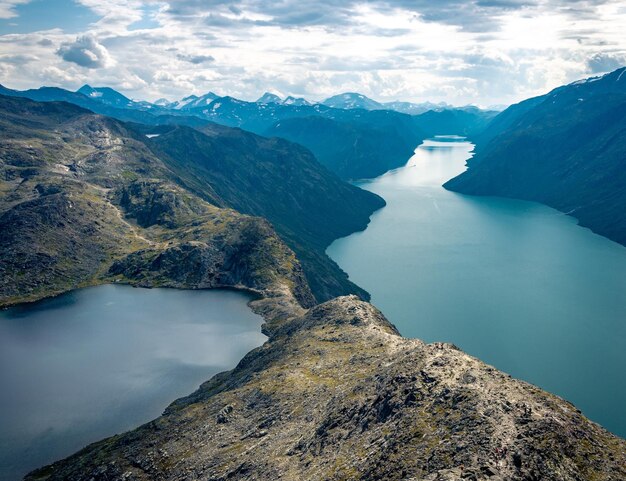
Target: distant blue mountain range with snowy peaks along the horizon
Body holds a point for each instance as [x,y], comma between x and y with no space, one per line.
[366,141]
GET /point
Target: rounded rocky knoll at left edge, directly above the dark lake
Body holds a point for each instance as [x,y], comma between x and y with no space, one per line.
[59,237]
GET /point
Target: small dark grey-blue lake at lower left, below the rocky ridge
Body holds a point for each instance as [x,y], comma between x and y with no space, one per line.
[102,360]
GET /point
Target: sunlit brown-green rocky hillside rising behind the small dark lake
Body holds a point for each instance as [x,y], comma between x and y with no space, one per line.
[84,201]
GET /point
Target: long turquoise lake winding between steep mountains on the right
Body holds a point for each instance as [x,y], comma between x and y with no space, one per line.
[517,284]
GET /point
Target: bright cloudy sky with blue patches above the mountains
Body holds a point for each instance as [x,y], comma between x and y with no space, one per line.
[484,52]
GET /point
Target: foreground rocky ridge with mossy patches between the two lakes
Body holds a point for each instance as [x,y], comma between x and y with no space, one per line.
[338,394]
